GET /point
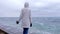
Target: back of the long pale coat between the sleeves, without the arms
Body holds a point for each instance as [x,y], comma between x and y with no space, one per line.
[25,18]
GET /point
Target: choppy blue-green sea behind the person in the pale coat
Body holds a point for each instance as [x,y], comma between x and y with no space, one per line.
[40,25]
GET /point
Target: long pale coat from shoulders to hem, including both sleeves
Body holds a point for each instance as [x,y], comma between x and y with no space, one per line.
[25,17]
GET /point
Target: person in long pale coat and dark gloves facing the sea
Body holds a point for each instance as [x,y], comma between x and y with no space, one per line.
[26,18]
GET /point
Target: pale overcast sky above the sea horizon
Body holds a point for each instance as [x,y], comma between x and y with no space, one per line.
[39,8]
